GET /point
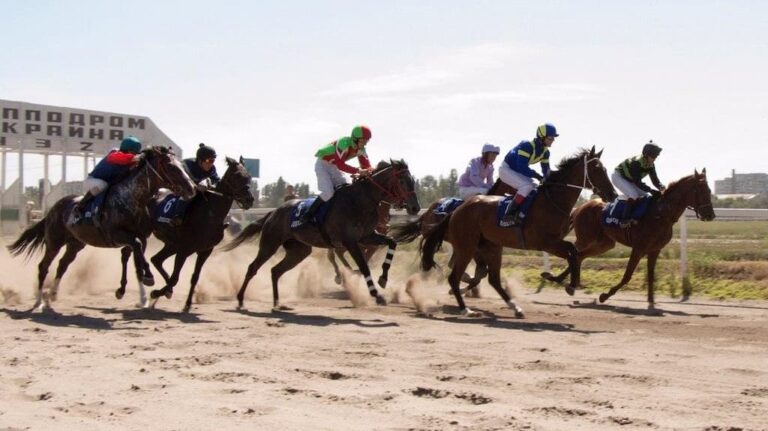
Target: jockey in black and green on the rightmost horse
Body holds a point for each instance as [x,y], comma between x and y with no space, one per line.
[628,179]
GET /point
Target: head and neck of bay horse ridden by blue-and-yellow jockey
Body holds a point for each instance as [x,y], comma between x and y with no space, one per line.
[584,170]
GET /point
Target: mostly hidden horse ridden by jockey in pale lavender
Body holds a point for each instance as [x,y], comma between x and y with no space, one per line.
[407,232]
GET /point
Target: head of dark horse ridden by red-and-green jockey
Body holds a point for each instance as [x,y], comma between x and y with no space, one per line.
[395,180]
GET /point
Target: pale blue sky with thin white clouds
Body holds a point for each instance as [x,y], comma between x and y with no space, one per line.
[434,80]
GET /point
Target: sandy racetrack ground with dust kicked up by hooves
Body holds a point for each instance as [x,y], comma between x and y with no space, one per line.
[337,363]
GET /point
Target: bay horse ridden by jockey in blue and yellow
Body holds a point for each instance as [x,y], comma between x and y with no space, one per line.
[473,229]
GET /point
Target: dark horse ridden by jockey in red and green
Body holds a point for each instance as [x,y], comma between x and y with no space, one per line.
[350,221]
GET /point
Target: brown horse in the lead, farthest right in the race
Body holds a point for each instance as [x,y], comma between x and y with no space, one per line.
[648,237]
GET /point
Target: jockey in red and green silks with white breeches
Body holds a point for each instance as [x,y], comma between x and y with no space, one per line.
[332,160]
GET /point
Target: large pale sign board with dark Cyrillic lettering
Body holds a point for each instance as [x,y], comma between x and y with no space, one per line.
[44,129]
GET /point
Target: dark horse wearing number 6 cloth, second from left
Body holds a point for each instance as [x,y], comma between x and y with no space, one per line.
[201,230]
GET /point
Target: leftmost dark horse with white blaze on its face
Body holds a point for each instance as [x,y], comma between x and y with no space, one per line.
[124,217]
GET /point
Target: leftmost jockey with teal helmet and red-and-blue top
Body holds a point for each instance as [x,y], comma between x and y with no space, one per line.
[110,168]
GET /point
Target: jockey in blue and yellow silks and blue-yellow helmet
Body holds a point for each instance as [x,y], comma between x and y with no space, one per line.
[515,172]
